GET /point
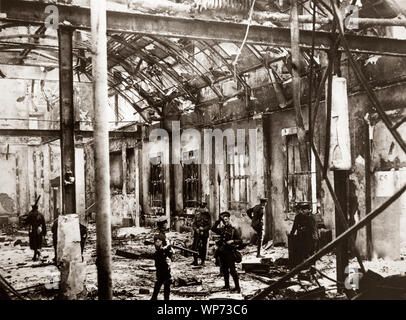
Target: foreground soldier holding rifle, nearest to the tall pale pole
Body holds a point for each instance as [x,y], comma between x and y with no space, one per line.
[162,257]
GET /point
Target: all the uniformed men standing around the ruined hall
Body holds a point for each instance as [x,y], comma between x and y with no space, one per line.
[304,230]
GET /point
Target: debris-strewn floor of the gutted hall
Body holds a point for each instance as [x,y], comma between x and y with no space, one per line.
[133,279]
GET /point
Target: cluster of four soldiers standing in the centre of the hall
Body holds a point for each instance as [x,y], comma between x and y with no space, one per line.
[227,246]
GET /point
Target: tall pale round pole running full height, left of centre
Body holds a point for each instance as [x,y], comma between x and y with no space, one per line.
[101,143]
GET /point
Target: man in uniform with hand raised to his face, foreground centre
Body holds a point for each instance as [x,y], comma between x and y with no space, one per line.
[229,239]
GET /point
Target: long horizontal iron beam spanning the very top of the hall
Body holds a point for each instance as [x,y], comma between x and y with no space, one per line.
[30,12]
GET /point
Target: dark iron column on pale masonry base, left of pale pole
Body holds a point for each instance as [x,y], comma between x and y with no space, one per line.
[67,119]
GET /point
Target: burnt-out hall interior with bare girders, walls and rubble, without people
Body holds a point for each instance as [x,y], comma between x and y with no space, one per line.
[221,102]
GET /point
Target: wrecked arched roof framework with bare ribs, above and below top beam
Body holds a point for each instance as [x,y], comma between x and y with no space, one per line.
[149,71]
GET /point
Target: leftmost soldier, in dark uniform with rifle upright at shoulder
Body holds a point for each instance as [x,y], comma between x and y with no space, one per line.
[37,230]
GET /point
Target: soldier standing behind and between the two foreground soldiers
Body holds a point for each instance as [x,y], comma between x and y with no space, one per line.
[201,227]
